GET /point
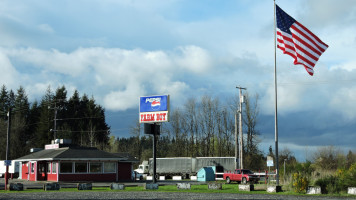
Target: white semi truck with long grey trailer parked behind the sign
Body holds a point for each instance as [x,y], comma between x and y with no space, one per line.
[186,166]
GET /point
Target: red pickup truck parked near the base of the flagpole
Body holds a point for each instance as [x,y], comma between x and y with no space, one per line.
[241,175]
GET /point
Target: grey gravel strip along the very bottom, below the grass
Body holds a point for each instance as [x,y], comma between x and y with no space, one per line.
[152,195]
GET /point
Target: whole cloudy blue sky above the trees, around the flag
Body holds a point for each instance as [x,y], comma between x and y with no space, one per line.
[119,50]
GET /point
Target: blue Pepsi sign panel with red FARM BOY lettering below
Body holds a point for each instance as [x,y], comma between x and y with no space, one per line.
[154,109]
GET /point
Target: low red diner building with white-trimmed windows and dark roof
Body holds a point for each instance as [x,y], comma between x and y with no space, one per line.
[62,161]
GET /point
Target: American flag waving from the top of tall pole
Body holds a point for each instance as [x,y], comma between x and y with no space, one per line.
[297,41]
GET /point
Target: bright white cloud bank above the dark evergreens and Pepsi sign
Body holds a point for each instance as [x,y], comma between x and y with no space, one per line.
[117,76]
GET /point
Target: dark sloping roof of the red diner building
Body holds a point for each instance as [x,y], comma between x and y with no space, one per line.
[72,153]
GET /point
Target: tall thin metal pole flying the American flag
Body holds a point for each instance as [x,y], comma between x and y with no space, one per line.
[275,97]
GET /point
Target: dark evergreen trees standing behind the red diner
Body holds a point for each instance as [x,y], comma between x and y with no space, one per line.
[35,124]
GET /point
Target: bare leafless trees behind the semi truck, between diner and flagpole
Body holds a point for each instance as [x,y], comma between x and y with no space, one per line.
[202,127]
